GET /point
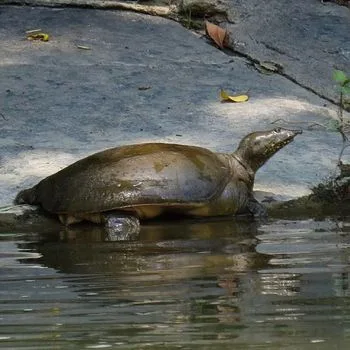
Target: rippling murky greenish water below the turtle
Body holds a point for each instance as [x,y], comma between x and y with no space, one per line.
[218,285]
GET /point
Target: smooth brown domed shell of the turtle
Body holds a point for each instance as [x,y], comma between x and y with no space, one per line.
[131,176]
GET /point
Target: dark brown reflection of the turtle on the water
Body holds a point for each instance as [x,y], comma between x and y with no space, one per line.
[177,250]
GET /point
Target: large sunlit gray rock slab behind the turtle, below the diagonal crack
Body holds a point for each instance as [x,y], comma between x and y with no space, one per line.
[144,79]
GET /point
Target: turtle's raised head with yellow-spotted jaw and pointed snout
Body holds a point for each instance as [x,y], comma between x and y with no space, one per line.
[256,148]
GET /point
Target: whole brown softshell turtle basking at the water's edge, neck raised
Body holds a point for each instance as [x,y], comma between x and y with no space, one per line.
[121,185]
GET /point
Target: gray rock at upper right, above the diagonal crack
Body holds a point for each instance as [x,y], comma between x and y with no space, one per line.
[309,38]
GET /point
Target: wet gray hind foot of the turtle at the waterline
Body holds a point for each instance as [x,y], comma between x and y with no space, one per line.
[121,227]
